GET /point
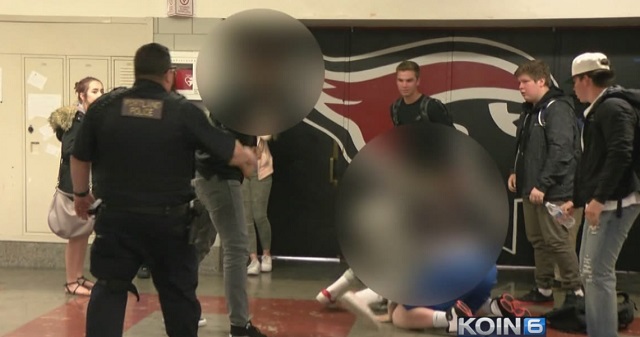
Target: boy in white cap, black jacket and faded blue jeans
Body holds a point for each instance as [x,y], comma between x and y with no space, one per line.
[606,184]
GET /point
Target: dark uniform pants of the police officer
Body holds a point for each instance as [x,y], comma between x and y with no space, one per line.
[123,241]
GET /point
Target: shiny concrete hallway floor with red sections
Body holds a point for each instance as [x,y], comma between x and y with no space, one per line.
[33,304]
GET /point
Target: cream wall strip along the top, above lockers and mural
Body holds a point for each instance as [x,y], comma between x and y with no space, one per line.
[344,9]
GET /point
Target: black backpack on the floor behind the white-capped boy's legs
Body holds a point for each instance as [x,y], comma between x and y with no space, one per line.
[571,318]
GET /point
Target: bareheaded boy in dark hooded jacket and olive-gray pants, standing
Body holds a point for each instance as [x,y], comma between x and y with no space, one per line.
[548,149]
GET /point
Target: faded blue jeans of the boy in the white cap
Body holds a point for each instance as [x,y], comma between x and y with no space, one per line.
[598,255]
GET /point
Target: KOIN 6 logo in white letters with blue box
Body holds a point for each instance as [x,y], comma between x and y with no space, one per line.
[502,326]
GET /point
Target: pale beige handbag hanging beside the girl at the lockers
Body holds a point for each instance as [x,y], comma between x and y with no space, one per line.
[63,220]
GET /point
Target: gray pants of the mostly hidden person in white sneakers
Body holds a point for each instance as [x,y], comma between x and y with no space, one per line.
[256,201]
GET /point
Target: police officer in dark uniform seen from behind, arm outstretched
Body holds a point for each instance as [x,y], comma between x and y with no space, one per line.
[139,144]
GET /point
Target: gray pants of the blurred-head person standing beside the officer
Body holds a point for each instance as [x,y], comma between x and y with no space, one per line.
[223,200]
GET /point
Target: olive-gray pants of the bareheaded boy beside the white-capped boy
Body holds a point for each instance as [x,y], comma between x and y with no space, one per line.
[552,244]
